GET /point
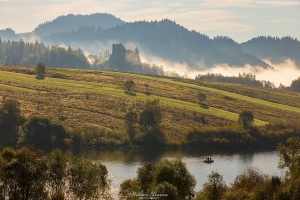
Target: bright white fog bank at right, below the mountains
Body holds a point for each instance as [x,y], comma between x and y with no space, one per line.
[282,73]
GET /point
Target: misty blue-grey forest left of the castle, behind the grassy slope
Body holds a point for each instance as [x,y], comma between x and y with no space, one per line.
[29,54]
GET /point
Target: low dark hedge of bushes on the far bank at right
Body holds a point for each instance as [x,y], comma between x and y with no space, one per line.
[267,136]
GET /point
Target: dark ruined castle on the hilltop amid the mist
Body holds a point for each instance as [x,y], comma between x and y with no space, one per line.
[120,55]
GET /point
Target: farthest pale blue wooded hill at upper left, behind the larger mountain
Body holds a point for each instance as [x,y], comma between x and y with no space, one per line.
[73,22]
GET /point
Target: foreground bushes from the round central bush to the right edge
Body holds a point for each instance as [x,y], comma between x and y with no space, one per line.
[161,179]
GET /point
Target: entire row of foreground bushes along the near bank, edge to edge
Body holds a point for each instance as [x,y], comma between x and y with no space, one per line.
[31,174]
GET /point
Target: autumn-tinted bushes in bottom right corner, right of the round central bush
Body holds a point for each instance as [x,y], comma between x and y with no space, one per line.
[255,185]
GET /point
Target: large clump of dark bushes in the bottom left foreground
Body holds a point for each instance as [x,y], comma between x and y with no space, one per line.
[31,174]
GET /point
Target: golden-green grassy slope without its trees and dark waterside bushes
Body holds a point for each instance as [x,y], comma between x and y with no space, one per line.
[97,99]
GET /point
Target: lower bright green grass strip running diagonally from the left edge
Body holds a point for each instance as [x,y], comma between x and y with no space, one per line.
[71,85]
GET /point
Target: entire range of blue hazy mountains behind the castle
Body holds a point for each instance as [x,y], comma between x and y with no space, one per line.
[167,40]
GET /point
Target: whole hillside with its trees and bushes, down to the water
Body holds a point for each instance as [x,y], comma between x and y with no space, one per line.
[96,109]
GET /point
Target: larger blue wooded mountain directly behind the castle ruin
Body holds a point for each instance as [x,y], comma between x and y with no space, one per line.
[164,39]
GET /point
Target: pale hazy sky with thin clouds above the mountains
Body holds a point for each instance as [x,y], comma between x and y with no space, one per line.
[238,19]
